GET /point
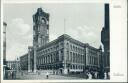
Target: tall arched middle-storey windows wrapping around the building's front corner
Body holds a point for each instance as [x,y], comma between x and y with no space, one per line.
[71,57]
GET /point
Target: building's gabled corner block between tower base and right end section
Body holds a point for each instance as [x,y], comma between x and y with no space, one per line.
[63,54]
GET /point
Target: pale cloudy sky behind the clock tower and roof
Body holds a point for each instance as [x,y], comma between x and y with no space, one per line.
[83,21]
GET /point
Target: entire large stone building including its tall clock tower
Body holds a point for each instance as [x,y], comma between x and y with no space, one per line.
[64,54]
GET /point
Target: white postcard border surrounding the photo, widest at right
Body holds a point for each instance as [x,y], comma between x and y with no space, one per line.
[116,43]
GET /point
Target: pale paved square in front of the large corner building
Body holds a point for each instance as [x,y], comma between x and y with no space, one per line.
[42,76]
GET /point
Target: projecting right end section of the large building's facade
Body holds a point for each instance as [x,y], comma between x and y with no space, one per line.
[92,58]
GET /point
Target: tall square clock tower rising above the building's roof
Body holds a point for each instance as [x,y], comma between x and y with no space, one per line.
[40,28]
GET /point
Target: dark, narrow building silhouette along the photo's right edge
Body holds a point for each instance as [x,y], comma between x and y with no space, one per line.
[105,39]
